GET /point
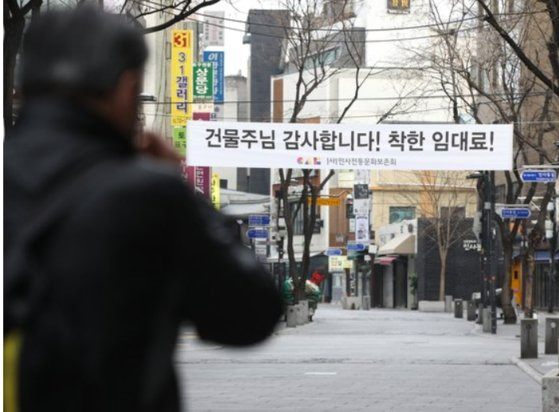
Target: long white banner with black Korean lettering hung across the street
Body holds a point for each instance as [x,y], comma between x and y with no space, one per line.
[351,146]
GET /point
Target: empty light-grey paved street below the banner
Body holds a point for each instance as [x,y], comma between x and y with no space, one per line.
[378,360]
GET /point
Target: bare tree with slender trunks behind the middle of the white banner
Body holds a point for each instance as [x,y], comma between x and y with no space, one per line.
[314,36]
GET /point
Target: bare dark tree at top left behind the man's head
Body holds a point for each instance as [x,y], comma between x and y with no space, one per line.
[16,15]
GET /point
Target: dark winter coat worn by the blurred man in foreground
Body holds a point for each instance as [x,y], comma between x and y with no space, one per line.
[136,254]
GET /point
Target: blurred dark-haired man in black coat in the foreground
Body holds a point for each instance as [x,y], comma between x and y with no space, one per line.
[128,252]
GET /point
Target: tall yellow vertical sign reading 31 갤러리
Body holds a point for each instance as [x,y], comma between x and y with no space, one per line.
[181,77]
